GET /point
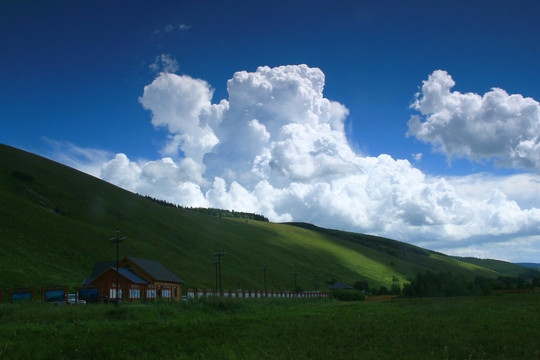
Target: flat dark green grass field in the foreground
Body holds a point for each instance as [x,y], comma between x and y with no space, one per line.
[494,327]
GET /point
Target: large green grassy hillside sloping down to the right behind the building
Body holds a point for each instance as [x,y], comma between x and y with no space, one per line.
[55,222]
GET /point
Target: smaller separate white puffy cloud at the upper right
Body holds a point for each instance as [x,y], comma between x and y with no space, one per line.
[495,125]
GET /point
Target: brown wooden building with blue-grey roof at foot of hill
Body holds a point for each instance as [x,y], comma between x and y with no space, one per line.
[138,279]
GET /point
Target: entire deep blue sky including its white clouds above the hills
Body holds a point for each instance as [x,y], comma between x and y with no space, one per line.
[73,89]
